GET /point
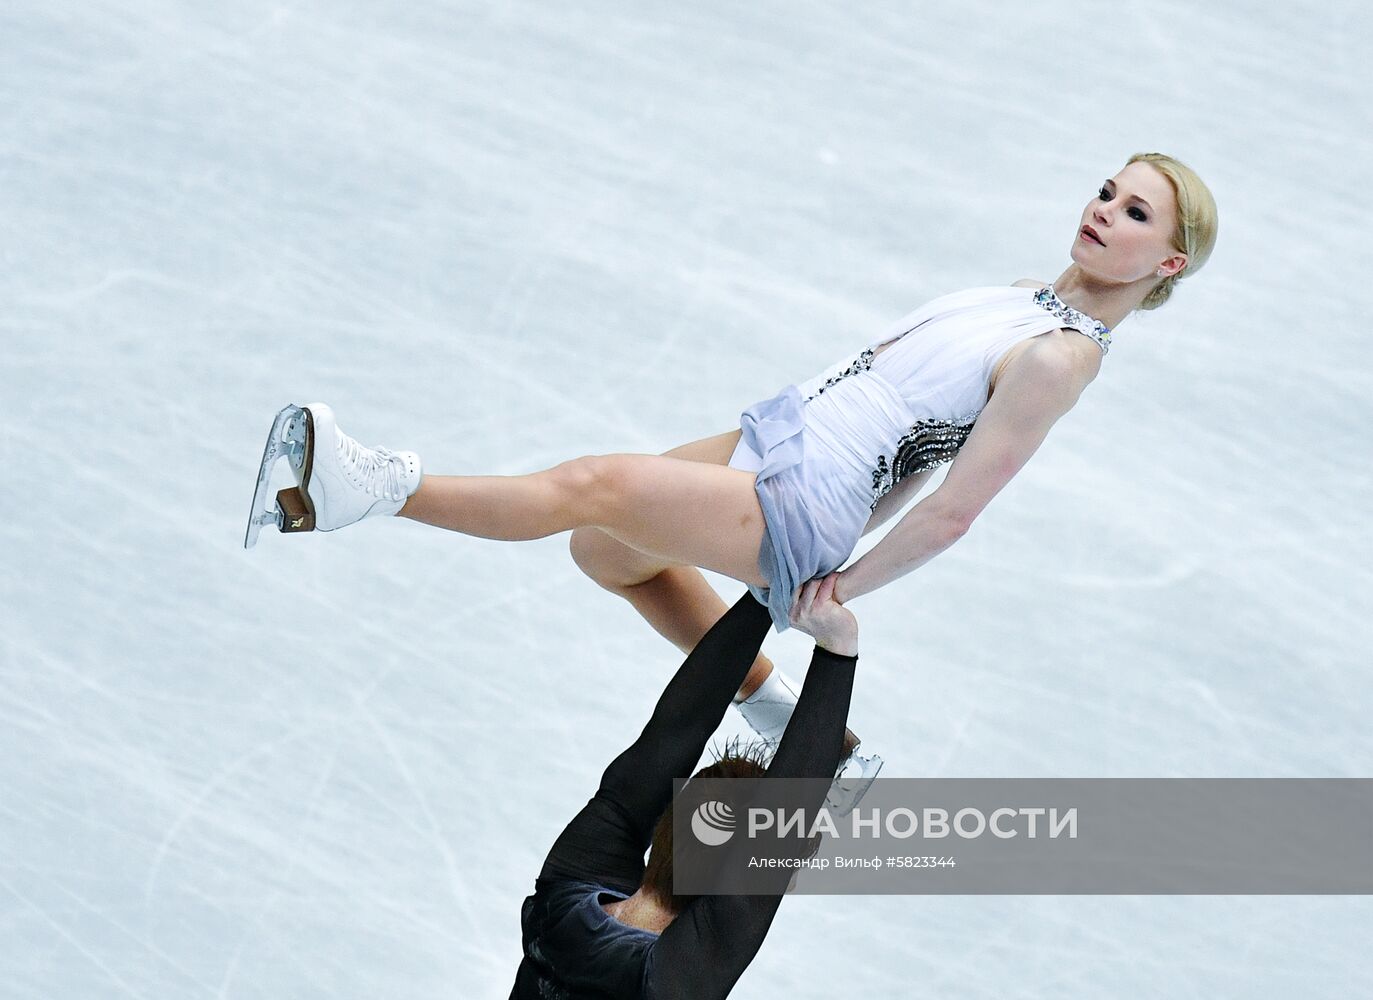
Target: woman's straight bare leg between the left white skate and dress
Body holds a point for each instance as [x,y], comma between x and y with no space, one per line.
[671,509]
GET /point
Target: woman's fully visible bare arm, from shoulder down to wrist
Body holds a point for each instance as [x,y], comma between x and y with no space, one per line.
[1040,387]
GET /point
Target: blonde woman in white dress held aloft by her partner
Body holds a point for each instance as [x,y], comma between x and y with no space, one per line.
[978,377]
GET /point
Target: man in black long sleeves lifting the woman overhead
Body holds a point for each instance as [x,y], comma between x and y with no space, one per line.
[603,924]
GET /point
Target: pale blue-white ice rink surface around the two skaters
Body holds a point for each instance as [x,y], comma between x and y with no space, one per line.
[509,234]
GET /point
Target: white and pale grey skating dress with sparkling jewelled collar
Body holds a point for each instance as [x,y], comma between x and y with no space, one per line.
[829,450]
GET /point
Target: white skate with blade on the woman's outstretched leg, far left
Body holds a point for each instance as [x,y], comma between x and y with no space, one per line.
[337,480]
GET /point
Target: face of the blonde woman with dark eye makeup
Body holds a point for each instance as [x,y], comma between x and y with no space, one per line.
[1127,231]
